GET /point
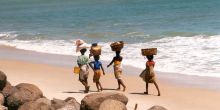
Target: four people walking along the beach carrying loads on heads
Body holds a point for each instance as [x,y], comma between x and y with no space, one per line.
[84,63]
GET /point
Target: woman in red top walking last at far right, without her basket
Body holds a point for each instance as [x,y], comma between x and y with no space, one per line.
[148,74]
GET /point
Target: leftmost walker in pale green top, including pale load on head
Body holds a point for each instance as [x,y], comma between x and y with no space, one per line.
[82,62]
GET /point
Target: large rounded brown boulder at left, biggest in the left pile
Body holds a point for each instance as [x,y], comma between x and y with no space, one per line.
[23,93]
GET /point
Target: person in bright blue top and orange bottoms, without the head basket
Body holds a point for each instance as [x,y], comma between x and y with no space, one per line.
[97,66]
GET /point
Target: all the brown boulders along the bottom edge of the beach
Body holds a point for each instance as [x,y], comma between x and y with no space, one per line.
[26,96]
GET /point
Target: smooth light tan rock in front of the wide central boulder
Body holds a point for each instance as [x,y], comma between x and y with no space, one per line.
[110,104]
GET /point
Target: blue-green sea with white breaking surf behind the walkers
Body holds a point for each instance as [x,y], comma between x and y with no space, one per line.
[186,32]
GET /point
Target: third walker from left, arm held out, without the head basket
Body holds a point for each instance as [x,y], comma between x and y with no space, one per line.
[118,69]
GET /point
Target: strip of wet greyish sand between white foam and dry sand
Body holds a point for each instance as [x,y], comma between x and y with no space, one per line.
[7,52]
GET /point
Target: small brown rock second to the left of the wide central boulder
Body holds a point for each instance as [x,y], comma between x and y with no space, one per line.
[57,103]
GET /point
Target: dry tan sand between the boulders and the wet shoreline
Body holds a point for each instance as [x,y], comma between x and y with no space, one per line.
[59,82]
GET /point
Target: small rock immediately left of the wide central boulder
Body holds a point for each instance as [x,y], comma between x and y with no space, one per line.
[70,104]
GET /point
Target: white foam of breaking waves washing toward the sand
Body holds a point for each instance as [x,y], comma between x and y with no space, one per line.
[197,55]
